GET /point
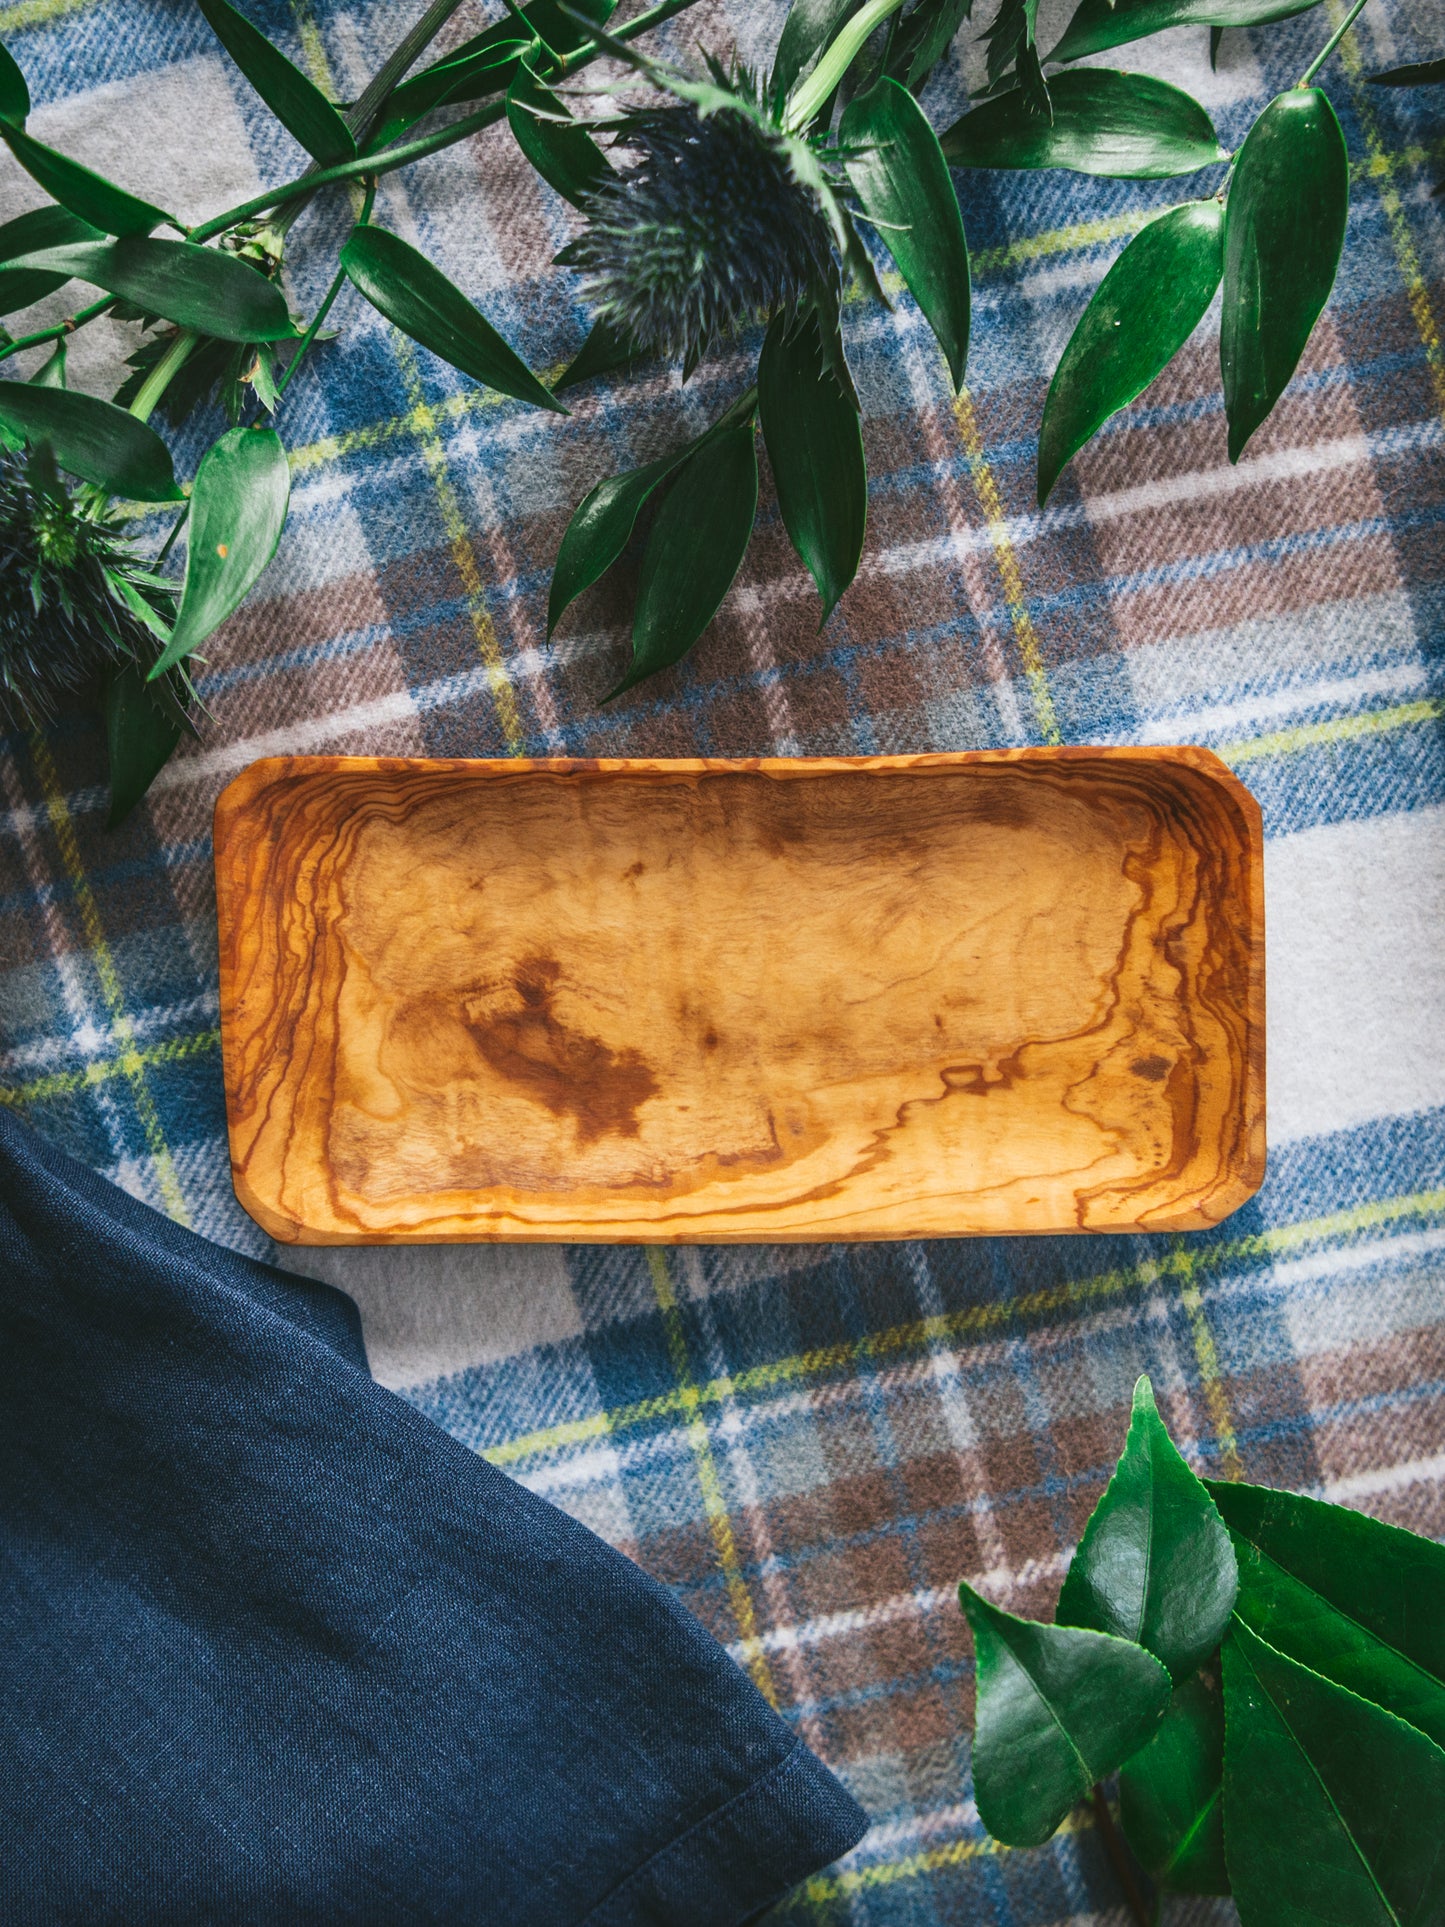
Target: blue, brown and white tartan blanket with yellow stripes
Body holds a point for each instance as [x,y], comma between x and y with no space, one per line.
[814,1444]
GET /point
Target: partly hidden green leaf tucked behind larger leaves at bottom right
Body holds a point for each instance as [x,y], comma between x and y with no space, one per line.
[1172,1795]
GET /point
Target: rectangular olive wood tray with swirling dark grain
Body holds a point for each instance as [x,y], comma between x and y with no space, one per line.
[695,1003]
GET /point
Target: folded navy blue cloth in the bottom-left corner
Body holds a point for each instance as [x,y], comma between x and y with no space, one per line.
[280,1650]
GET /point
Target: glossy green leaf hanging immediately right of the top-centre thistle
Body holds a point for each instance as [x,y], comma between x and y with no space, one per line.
[903,184]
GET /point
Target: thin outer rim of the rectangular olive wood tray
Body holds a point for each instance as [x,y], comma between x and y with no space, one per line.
[1242,1184]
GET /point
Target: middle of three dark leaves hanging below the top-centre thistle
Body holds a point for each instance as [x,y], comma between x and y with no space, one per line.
[695,550]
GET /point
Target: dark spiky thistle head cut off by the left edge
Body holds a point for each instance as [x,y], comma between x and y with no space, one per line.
[65,581]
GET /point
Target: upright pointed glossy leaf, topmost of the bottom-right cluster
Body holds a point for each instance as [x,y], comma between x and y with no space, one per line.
[1155,1564]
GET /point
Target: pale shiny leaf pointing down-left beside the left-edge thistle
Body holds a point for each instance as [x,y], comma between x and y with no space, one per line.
[238,514]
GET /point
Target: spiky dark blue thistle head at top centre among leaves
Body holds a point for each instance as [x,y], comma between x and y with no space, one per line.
[720,221]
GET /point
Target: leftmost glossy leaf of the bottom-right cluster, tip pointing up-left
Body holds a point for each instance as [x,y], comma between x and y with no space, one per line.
[1059,1710]
